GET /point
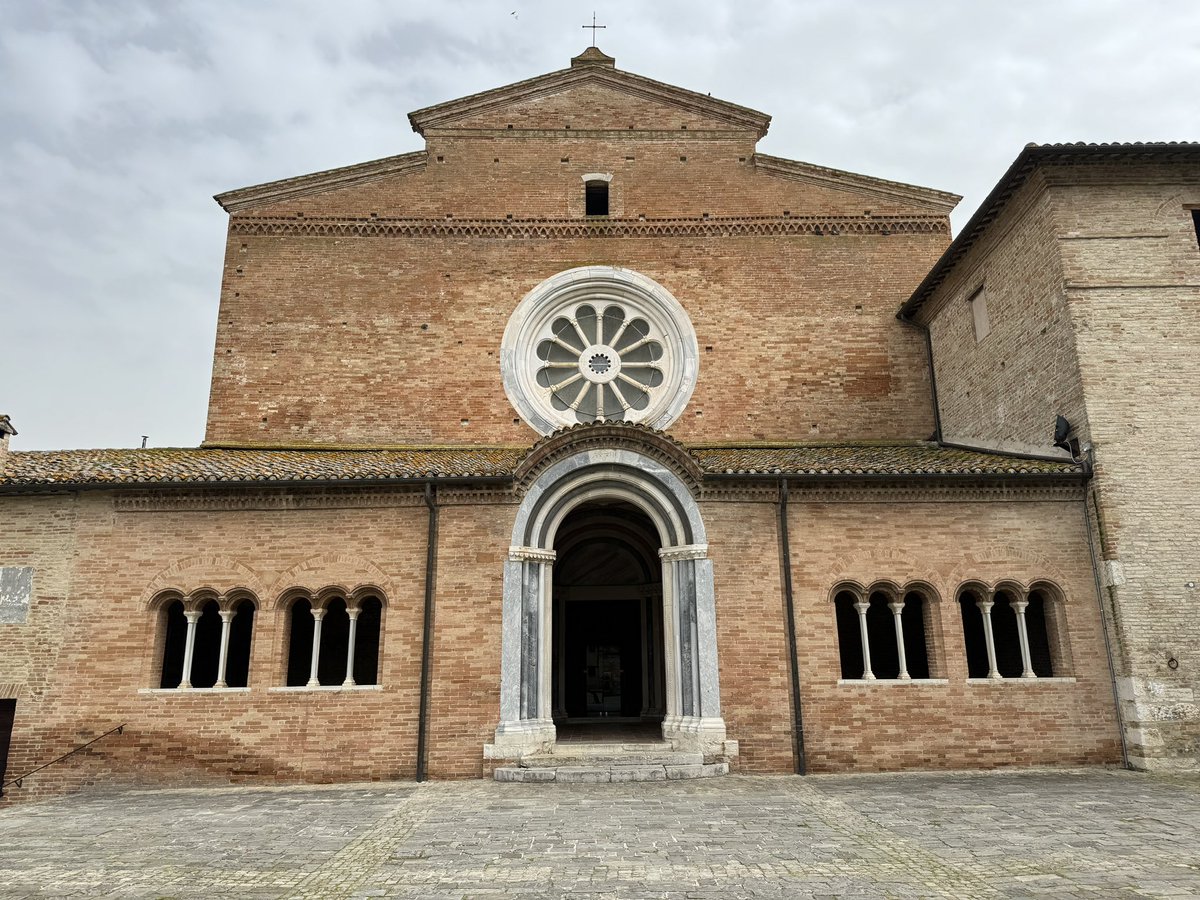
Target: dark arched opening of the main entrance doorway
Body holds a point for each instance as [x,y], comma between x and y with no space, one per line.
[608,620]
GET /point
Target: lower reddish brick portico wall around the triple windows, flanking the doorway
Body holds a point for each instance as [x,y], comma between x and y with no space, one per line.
[109,641]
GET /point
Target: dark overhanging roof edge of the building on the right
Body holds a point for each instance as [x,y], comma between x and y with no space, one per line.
[1030,159]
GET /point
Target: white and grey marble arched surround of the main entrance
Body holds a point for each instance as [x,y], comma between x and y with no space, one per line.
[693,718]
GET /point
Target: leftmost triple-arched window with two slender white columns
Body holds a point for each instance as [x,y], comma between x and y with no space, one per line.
[206,641]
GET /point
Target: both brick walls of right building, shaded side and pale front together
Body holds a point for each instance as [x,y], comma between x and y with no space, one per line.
[1093,277]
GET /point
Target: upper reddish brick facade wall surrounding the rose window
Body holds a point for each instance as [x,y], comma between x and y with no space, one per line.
[395,339]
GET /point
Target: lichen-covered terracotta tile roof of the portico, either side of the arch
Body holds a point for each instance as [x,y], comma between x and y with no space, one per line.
[213,465]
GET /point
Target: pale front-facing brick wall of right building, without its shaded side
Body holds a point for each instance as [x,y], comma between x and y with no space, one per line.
[1132,272]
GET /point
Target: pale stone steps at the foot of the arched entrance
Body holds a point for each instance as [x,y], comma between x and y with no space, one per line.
[599,755]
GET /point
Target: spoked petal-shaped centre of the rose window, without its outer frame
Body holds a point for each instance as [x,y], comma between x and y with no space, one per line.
[601,365]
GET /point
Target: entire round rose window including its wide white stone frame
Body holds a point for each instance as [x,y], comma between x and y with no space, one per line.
[599,344]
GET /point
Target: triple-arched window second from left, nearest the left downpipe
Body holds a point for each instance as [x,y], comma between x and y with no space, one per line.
[334,641]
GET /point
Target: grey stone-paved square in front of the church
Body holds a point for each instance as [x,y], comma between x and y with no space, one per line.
[1064,835]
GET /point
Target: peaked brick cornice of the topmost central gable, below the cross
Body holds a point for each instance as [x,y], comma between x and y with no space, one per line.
[589,69]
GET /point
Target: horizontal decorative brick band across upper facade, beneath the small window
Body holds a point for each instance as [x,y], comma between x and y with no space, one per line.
[560,229]
